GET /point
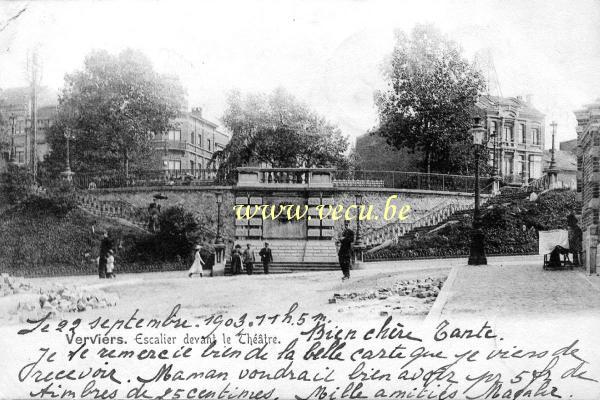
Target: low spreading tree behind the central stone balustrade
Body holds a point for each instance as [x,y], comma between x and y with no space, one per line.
[279,130]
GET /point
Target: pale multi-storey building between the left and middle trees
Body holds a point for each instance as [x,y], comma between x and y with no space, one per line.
[190,144]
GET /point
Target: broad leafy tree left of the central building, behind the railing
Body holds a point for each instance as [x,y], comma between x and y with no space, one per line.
[111,108]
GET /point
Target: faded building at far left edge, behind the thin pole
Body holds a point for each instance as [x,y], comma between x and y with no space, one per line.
[16,117]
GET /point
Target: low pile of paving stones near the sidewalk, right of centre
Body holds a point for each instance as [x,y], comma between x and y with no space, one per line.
[427,289]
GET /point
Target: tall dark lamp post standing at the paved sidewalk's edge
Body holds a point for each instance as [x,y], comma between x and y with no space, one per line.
[477,253]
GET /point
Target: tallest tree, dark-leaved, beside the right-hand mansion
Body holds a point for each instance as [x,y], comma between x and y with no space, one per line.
[430,97]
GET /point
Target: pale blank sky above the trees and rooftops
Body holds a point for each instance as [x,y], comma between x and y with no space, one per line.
[329,54]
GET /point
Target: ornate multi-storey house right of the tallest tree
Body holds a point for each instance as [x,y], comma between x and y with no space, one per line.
[516,138]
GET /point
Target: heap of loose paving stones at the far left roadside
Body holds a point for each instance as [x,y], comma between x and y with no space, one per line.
[59,299]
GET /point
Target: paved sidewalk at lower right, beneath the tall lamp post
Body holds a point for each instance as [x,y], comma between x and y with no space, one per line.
[505,289]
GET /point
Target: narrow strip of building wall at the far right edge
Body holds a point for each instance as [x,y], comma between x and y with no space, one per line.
[588,179]
